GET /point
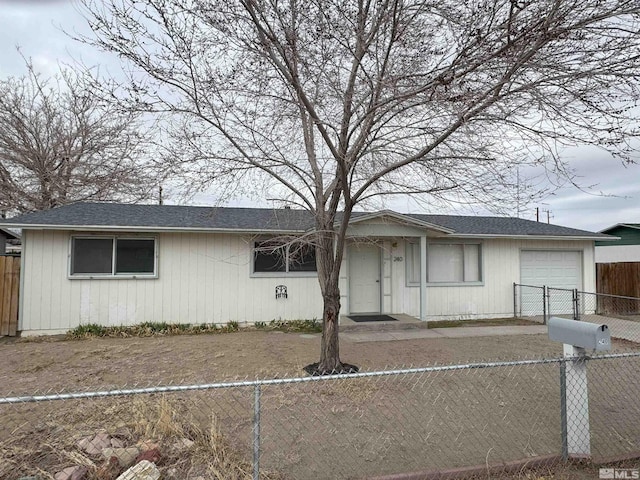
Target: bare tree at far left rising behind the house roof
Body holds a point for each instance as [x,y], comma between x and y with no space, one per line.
[60,144]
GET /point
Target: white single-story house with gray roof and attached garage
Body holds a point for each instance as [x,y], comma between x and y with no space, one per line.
[125,264]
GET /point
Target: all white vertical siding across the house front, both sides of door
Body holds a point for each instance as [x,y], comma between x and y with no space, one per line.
[204,278]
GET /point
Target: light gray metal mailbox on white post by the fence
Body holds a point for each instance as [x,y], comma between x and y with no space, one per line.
[589,336]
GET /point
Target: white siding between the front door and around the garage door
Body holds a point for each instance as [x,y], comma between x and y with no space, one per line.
[493,299]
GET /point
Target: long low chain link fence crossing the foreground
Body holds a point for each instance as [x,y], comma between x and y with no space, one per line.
[364,425]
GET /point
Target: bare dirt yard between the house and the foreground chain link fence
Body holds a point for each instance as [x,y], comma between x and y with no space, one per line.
[30,366]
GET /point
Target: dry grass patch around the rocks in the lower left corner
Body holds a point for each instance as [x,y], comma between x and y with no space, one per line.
[190,447]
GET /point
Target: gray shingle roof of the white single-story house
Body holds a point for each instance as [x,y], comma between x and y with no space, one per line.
[162,217]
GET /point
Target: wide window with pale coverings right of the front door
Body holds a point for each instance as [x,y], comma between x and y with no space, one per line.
[446,263]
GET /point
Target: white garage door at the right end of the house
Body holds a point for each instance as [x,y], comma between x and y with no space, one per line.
[559,269]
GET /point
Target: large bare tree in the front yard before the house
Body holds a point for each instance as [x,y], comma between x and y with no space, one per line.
[340,102]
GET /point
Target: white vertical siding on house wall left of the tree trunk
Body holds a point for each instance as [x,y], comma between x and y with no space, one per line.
[202,278]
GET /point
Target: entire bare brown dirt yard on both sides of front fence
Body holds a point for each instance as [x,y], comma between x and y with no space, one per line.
[347,428]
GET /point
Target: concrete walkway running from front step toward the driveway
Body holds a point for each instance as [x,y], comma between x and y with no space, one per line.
[453,332]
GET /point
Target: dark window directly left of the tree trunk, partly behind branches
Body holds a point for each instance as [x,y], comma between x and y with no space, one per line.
[271,257]
